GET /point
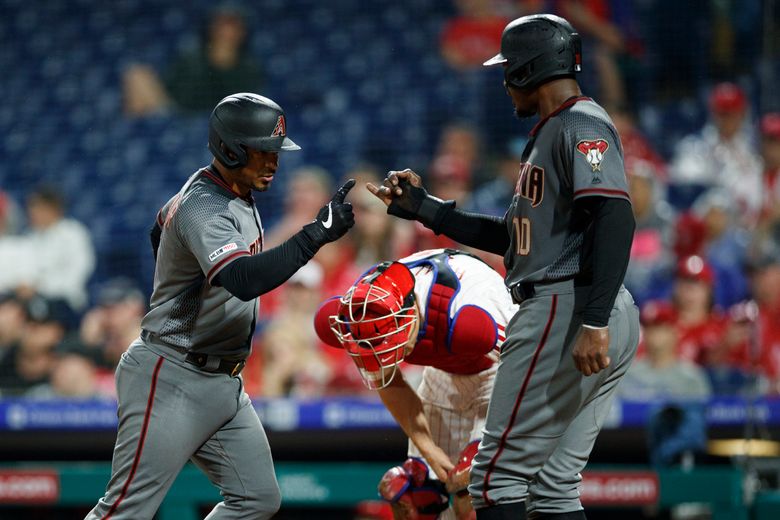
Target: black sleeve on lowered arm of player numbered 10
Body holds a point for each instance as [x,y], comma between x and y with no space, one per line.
[613,232]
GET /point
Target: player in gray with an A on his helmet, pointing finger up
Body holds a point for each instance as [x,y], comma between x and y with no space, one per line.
[180,394]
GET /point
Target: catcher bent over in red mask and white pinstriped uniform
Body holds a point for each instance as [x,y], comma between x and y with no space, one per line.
[445,310]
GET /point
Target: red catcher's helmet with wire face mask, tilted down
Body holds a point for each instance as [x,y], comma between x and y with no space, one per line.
[372,321]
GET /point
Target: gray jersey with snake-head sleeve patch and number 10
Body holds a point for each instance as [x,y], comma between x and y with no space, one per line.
[575,152]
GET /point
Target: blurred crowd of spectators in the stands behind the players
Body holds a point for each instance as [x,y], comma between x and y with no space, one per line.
[705,263]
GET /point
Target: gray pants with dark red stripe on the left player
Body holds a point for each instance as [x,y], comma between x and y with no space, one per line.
[171,412]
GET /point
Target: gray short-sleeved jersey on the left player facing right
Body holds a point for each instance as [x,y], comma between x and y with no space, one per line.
[204,227]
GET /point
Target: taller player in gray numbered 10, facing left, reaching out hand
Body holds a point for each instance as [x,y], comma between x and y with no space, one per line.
[566,240]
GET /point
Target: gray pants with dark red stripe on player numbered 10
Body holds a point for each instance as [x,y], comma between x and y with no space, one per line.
[544,415]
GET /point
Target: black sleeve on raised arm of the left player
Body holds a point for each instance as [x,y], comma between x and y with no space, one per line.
[248,277]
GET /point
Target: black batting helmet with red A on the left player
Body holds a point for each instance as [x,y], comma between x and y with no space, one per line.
[246,120]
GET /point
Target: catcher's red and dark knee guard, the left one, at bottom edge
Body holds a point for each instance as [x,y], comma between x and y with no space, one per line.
[412,494]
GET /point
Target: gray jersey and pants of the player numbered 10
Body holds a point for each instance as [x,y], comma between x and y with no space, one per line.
[544,415]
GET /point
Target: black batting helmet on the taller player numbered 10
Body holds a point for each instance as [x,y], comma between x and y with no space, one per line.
[536,49]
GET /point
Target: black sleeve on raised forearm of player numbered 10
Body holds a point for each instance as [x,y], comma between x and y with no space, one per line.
[484,232]
